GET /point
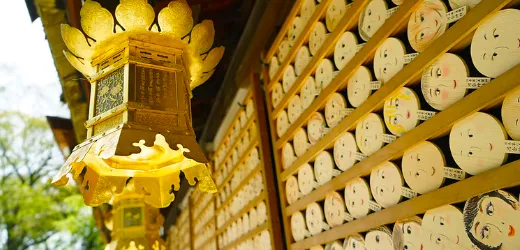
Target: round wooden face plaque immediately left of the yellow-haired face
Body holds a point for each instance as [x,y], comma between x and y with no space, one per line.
[368,134]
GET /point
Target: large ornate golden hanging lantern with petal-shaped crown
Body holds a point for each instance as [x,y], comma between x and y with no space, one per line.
[140,123]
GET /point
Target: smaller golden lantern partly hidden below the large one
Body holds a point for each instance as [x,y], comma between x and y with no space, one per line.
[136,224]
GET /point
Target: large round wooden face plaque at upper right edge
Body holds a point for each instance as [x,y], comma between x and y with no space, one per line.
[495,47]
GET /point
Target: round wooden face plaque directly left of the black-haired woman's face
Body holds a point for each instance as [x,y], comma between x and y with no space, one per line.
[446,228]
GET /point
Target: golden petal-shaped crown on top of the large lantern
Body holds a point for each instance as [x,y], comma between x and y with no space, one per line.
[135,19]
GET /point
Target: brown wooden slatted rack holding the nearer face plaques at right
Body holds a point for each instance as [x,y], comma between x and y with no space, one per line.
[457,37]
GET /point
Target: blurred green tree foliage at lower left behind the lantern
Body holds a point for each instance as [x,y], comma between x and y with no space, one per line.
[33,214]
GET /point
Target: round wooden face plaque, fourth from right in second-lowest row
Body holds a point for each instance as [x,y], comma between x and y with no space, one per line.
[386,183]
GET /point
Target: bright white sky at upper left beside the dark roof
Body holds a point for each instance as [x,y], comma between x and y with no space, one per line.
[28,79]
